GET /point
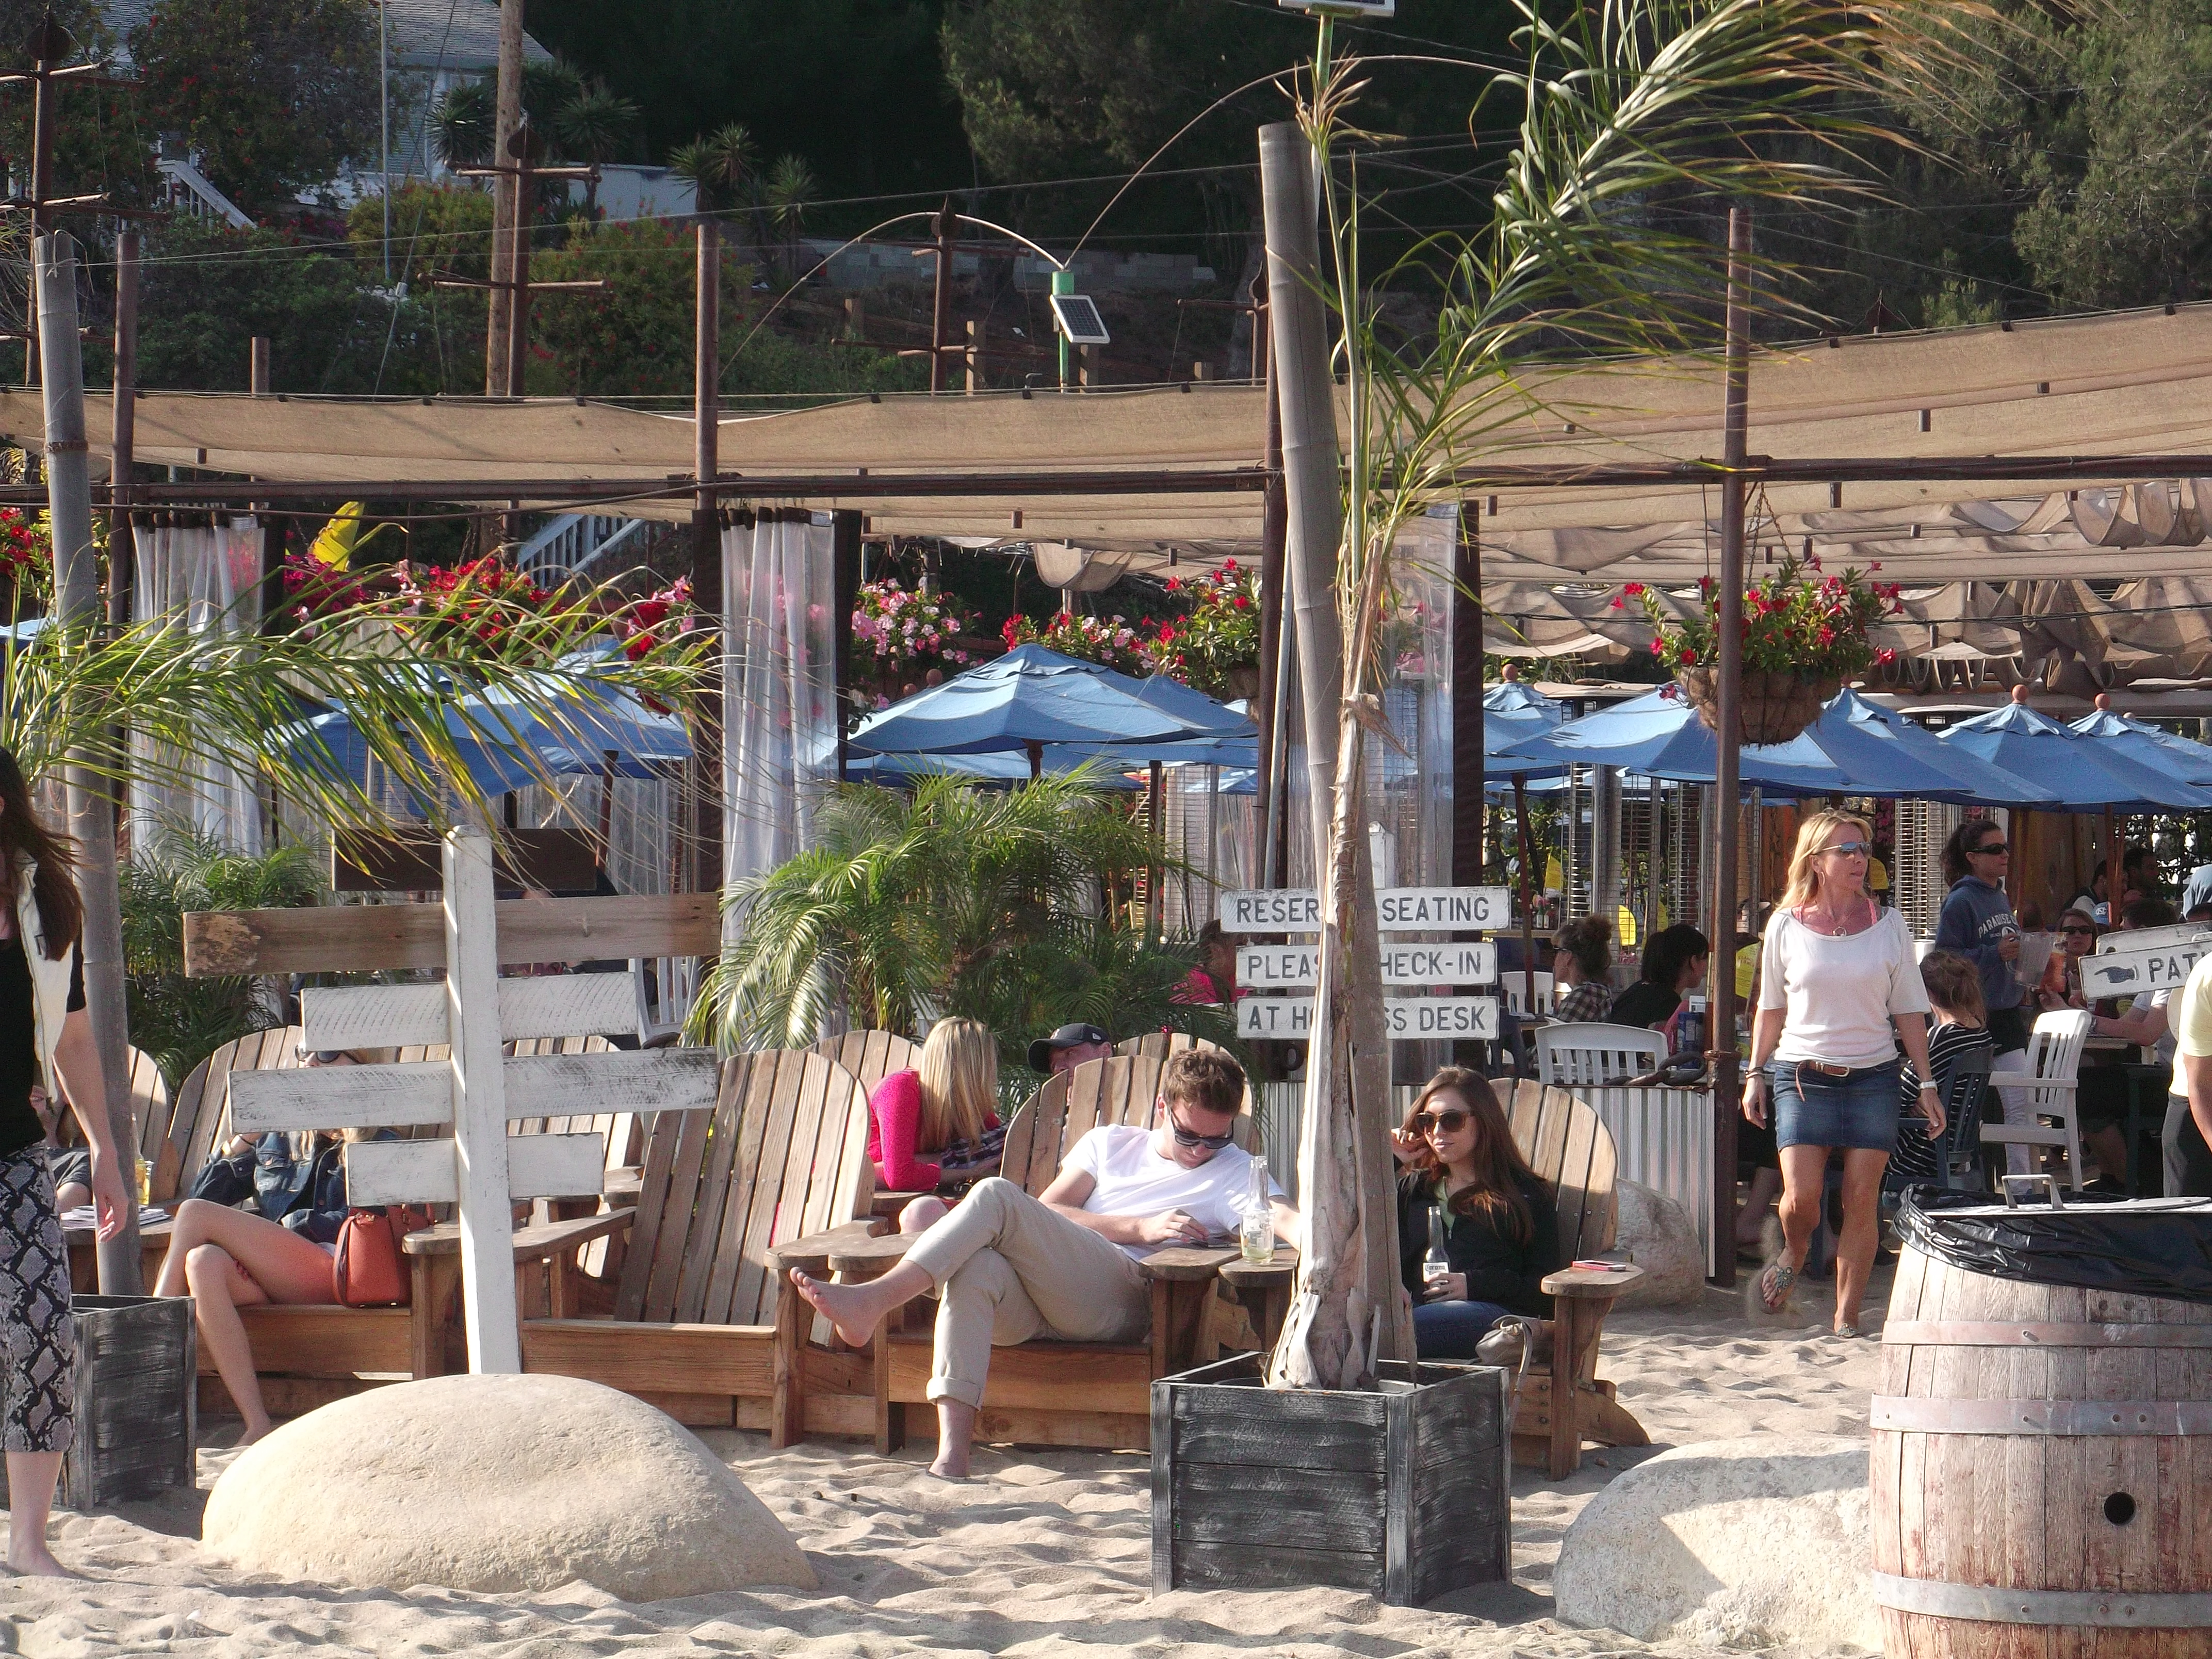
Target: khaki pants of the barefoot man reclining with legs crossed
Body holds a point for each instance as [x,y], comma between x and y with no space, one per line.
[1010,1271]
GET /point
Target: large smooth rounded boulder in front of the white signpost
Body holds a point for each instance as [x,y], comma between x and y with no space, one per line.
[497,1483]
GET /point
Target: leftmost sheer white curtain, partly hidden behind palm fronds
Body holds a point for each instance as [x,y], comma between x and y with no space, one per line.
[191,576]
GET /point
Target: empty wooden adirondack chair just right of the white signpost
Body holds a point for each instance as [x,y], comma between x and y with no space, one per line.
[705,1324]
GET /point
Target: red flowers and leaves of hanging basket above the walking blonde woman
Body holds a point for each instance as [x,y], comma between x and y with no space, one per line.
[1793,625]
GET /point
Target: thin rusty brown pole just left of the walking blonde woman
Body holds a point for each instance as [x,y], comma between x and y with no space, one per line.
[1726,778]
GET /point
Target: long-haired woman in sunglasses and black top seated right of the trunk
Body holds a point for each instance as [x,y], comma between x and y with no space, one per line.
[1501,1220]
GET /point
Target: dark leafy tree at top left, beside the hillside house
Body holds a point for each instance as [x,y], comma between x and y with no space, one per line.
[269,94]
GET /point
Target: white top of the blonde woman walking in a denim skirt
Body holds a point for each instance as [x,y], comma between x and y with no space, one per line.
[1839,992]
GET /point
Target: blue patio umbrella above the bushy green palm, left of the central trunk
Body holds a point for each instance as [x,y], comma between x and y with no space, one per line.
[1036,698]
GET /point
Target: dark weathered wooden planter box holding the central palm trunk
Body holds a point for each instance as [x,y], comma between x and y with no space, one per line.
[1404,1494]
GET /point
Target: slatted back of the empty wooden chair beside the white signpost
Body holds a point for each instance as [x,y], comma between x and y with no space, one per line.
[782,1154]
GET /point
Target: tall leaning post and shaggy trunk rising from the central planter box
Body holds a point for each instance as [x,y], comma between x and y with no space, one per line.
[1350,1308]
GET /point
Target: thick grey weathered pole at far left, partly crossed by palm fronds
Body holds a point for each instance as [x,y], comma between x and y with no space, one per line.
[92,808]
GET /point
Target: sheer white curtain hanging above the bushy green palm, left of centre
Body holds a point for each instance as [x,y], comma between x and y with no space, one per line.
[780,685]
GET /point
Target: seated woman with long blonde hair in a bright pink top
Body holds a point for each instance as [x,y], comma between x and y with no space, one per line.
[941,1109]
